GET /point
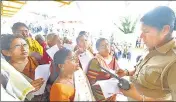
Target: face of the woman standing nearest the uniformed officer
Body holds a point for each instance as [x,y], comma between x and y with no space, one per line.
[104,48]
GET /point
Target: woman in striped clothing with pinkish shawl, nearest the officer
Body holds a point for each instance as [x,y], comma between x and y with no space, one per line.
[94,74]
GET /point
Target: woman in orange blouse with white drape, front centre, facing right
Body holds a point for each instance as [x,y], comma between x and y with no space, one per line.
[64,87]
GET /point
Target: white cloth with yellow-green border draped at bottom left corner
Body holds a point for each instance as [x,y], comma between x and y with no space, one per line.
[21,87]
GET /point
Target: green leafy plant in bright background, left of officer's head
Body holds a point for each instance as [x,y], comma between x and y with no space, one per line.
[127,25]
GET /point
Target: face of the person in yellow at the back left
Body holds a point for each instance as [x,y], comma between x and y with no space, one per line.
[22,31]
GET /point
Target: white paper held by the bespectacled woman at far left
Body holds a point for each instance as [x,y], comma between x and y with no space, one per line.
[42,71]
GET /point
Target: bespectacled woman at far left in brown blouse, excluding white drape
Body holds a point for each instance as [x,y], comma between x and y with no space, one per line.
[17,50]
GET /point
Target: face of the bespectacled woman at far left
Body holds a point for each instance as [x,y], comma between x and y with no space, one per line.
[19,48]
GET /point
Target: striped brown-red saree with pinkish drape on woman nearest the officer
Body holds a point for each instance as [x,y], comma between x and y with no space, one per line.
[95,74]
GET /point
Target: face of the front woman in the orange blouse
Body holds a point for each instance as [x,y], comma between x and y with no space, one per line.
[70,65]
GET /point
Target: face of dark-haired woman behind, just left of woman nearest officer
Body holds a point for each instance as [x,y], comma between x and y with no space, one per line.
[83,43]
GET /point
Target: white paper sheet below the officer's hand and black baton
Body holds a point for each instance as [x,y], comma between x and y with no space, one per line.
[109,87]
